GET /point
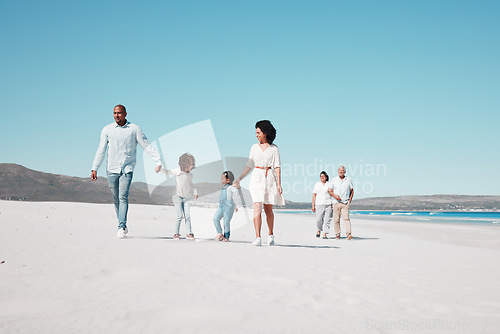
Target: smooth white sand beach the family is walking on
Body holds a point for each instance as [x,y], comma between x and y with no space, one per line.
[63,271]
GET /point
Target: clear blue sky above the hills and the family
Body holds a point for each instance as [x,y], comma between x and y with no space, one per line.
[410,88]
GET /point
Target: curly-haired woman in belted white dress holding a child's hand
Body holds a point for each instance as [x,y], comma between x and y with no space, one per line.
[265,184]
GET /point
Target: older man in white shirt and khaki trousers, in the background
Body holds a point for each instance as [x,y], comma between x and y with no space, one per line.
[342,191]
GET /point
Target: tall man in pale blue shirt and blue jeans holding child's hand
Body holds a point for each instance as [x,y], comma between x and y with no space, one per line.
[120,139]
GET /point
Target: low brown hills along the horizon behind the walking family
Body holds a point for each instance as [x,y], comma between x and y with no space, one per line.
[20,183]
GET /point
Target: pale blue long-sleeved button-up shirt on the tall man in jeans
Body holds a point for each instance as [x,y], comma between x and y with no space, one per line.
[121,143]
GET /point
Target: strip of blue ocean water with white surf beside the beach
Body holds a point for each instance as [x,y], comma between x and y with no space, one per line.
[455,217]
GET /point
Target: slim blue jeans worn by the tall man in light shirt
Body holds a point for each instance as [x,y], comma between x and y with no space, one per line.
[119,183]
